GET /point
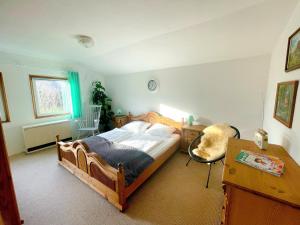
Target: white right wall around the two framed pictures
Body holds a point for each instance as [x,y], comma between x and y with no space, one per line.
[278,133]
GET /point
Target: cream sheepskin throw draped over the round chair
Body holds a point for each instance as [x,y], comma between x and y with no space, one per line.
[214,141]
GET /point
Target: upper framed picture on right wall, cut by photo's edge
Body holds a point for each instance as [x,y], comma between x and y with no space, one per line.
[293,52]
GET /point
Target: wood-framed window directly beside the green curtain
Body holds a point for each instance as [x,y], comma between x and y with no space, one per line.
[50,95]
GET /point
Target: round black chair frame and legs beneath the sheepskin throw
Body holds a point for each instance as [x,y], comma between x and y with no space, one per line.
[192,156]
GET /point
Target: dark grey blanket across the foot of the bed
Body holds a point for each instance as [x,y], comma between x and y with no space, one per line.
[133,160]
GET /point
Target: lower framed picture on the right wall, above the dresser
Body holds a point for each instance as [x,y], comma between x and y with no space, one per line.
[285,102]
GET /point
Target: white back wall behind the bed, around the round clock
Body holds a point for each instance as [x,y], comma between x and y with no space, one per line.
[229,91]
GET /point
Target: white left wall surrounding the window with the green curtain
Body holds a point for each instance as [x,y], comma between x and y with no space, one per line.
[15,70]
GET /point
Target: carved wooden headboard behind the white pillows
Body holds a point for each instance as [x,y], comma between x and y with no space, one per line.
[154,117]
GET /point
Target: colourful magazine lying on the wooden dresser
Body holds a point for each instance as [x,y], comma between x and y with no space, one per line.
[267,163]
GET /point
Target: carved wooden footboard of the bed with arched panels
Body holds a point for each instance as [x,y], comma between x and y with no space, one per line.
[94,171]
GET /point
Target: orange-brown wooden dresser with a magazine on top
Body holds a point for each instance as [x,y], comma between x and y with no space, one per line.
[254,197]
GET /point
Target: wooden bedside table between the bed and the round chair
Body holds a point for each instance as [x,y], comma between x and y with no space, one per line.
[189,133]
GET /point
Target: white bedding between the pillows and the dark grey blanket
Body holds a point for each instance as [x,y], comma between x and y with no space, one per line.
[152,145]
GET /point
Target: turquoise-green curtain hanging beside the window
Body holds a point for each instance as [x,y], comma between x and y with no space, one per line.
[73,78]
